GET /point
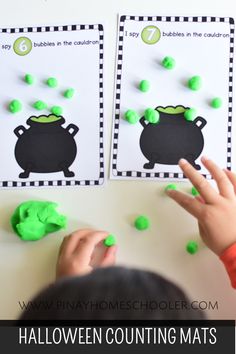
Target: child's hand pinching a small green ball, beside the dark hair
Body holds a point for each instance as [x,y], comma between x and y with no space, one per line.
[78,249]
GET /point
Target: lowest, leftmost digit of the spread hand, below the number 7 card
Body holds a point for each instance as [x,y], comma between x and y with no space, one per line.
[192,205]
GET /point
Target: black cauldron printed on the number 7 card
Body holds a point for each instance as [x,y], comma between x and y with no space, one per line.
[172,138]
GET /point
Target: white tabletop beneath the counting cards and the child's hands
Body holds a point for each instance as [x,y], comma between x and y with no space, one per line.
[26,267]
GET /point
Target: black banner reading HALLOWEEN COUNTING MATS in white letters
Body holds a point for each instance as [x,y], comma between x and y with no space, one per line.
[160,337]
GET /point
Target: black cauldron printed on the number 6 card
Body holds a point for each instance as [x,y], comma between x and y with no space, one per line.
[46,146]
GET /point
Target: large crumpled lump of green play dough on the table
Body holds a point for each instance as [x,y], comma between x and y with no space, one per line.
[32,220]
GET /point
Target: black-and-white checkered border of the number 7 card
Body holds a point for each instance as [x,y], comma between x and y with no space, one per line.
[138,174]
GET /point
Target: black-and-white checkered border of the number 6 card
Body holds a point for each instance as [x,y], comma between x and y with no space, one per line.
[55,183]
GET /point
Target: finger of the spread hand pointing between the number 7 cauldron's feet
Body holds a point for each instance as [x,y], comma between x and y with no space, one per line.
[204,188]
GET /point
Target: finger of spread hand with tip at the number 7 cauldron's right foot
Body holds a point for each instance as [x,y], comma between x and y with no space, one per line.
[225,187]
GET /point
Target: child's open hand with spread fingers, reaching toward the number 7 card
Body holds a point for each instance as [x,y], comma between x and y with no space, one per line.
[215,212]
